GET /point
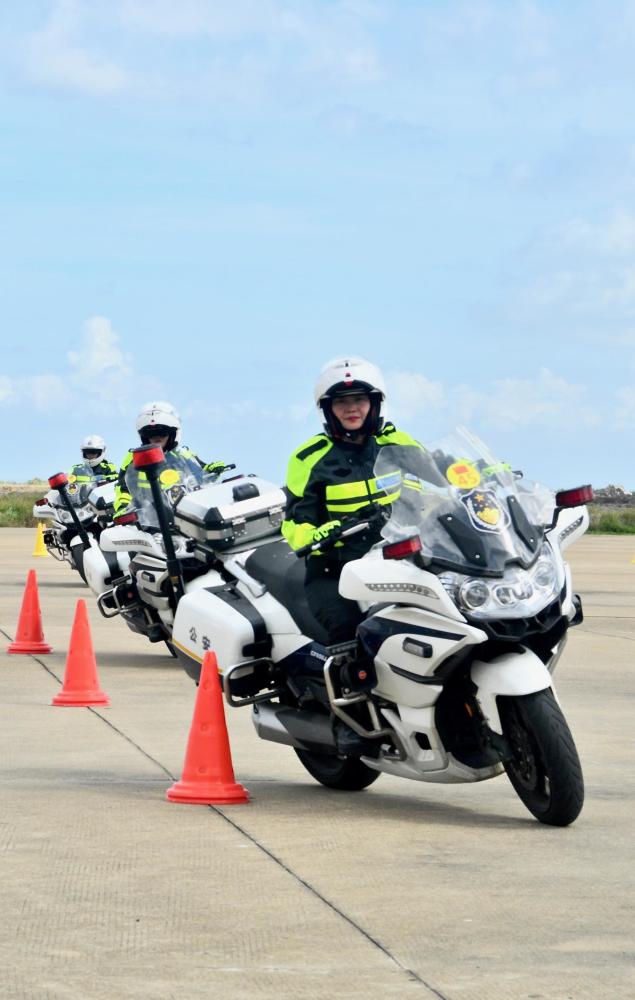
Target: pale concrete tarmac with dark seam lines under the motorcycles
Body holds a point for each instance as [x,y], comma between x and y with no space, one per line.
[408,889]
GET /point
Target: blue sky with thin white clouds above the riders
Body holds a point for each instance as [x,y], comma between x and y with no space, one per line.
[204,201]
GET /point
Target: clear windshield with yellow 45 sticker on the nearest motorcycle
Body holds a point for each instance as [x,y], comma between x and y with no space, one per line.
[471,511]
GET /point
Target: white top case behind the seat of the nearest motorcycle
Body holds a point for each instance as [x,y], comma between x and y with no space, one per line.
[239,514]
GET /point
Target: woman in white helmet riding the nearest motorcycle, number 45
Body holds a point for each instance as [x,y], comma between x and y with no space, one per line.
[332,475]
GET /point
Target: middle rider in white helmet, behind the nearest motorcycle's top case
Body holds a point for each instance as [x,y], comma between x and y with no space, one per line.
[158,423]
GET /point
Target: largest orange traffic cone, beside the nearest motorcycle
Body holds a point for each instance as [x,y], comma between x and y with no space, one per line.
[208,774]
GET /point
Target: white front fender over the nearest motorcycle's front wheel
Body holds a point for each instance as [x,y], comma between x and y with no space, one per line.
[509,674]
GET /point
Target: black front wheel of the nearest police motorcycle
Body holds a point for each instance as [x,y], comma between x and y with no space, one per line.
[544,767]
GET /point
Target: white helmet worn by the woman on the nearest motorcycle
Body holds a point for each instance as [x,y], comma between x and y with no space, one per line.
[344,377]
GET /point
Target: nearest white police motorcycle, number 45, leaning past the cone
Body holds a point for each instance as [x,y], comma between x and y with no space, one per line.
[467,602]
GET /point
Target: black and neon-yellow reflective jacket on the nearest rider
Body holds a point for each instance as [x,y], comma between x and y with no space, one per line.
[328,480]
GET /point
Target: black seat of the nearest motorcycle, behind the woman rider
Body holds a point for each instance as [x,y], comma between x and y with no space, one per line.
[278,567]
